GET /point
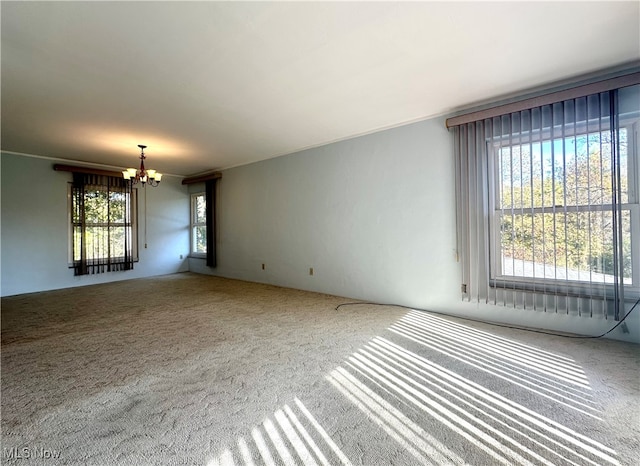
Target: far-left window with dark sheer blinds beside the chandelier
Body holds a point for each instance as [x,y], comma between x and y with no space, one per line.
[103,233]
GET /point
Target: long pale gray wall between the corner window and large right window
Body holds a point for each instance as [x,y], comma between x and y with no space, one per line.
[374,216]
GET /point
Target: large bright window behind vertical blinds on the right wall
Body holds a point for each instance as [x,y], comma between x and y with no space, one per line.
[552,211]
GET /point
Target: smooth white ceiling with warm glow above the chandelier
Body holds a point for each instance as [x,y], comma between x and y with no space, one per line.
[210,85]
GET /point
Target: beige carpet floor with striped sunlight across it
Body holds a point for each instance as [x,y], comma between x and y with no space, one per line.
[198,370]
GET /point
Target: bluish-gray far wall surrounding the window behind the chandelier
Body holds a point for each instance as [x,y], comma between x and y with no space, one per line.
[35,230]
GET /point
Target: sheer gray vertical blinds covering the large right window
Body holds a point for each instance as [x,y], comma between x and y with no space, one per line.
[547,205]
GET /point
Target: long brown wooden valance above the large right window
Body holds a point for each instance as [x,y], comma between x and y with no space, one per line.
[546,99]
